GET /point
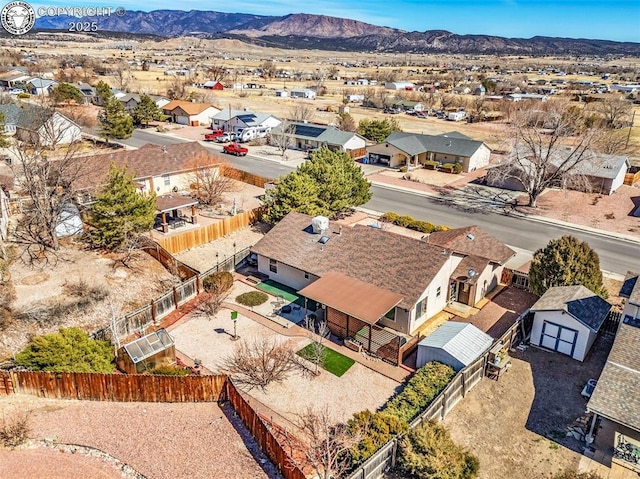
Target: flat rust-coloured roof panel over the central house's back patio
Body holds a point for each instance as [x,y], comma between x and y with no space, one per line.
[351,296]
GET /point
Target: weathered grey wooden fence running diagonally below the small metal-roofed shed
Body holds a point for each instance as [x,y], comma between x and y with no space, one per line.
[444,402]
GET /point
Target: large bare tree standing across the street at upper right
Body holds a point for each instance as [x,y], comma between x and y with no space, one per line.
[548,146]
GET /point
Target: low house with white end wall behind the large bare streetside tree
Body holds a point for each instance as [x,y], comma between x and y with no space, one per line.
[604,174]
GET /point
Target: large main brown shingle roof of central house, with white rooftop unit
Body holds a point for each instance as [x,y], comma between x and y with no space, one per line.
[393,262]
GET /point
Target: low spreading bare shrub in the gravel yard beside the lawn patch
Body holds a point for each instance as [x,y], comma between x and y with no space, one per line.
[260,362]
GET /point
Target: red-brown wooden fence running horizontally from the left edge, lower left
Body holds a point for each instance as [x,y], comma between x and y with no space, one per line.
[117,387]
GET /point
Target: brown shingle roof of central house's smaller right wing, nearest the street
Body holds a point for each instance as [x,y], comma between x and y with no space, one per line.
[471,240]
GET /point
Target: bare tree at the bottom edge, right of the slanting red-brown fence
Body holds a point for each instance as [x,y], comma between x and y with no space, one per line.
[324,446]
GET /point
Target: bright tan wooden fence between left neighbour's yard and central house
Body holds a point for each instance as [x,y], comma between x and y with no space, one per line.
[205,234]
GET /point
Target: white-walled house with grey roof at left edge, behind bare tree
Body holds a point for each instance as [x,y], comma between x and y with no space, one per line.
[37,125]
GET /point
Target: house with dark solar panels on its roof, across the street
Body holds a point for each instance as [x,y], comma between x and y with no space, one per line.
[307,136]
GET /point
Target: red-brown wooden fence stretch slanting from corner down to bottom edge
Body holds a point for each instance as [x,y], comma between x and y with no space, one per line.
[264,437]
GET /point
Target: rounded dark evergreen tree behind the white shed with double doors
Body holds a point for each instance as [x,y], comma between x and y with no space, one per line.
[566,261]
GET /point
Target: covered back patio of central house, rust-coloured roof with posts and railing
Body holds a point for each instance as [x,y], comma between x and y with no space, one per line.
[352,310]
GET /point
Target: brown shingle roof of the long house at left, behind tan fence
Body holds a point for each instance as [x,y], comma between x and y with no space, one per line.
[145,162]
